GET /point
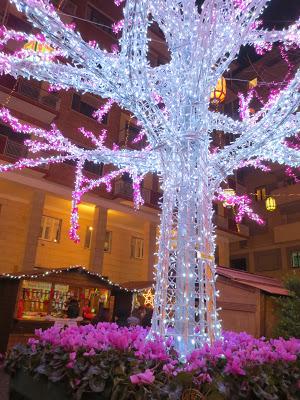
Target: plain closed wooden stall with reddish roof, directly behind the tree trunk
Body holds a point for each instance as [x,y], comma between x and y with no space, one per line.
[246,300]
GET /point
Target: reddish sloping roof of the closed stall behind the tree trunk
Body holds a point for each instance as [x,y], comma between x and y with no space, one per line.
[267,284]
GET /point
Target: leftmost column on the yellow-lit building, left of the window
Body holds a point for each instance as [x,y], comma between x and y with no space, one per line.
[33,229]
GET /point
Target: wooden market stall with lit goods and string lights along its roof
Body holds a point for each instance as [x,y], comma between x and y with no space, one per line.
[38,299]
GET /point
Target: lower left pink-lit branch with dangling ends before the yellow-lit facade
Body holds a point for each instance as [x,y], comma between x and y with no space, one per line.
[53,141]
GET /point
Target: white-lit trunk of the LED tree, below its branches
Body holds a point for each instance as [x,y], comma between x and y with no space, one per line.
[185,305]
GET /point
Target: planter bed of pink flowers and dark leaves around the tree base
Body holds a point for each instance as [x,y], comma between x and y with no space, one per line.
[111,363]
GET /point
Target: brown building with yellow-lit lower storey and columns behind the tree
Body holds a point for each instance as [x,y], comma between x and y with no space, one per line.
[116,240]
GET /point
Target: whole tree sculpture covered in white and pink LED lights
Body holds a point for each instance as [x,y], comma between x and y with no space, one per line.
[172,104]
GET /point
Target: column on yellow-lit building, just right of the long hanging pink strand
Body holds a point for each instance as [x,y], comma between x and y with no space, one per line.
[98,239]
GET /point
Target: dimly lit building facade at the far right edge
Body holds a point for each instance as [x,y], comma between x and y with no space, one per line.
[274,248]
